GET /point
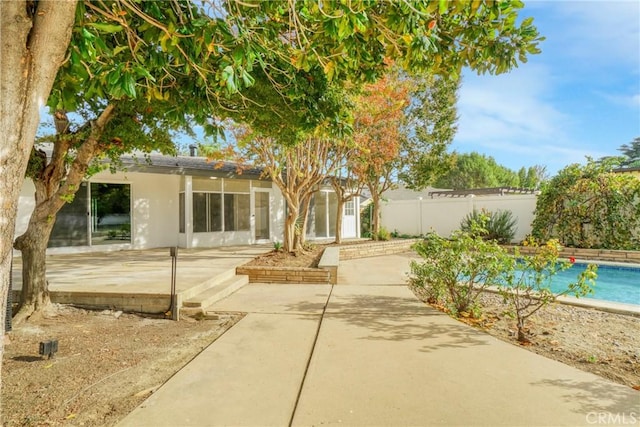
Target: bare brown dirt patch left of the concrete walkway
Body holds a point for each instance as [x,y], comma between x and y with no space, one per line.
[107,364]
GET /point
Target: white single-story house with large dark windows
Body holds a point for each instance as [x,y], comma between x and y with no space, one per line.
[180,201]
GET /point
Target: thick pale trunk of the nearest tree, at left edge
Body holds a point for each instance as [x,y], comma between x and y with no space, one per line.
[32,48]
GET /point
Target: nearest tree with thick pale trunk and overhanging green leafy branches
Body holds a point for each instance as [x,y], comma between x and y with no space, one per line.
[345,41]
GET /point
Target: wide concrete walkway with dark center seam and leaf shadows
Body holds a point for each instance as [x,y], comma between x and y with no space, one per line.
[368,353]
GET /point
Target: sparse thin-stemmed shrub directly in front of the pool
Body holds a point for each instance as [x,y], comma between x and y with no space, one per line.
[526,284]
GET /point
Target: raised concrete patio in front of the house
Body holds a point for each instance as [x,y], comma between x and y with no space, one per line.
[136,280]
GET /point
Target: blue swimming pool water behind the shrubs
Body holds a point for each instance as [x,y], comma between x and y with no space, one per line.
[614,283]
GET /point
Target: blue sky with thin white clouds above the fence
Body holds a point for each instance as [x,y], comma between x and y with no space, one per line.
[579,97]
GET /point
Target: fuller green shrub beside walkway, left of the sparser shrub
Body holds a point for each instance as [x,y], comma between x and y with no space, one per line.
[455,271]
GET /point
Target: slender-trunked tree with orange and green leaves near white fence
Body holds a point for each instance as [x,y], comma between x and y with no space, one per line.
[403,127]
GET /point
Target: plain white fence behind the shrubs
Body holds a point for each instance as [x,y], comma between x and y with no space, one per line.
[443,214]
